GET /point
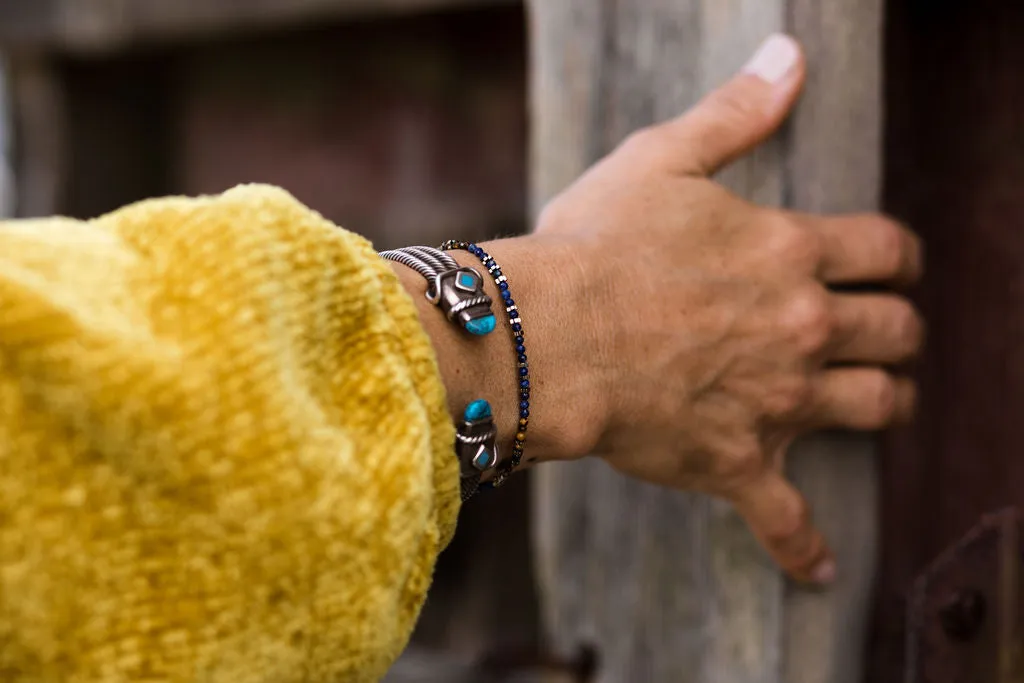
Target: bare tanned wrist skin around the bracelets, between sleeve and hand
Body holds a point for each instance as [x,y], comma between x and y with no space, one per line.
[566,408]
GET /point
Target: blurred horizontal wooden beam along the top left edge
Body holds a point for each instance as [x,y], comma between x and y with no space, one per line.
[107,25]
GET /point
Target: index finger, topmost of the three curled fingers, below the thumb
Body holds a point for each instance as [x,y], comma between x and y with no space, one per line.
[865,249]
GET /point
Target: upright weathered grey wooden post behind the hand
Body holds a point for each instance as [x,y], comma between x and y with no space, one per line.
[670,587]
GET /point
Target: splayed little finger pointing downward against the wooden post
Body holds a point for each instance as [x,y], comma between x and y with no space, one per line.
[781,519]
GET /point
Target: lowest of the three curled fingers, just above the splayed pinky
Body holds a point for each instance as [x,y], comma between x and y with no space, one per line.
[863,399]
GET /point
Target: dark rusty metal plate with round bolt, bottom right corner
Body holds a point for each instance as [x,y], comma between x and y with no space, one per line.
[965,615]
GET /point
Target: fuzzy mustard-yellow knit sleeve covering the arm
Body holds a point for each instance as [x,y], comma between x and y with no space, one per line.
[225,452]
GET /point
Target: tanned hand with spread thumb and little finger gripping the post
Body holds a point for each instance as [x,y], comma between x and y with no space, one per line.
[717,338]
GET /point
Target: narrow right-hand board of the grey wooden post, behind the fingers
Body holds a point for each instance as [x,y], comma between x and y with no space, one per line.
[834,161]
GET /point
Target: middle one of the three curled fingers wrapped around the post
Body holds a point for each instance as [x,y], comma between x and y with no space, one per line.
[874,329]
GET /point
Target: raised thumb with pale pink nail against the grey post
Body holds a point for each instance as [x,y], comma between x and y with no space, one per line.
[742,114]
